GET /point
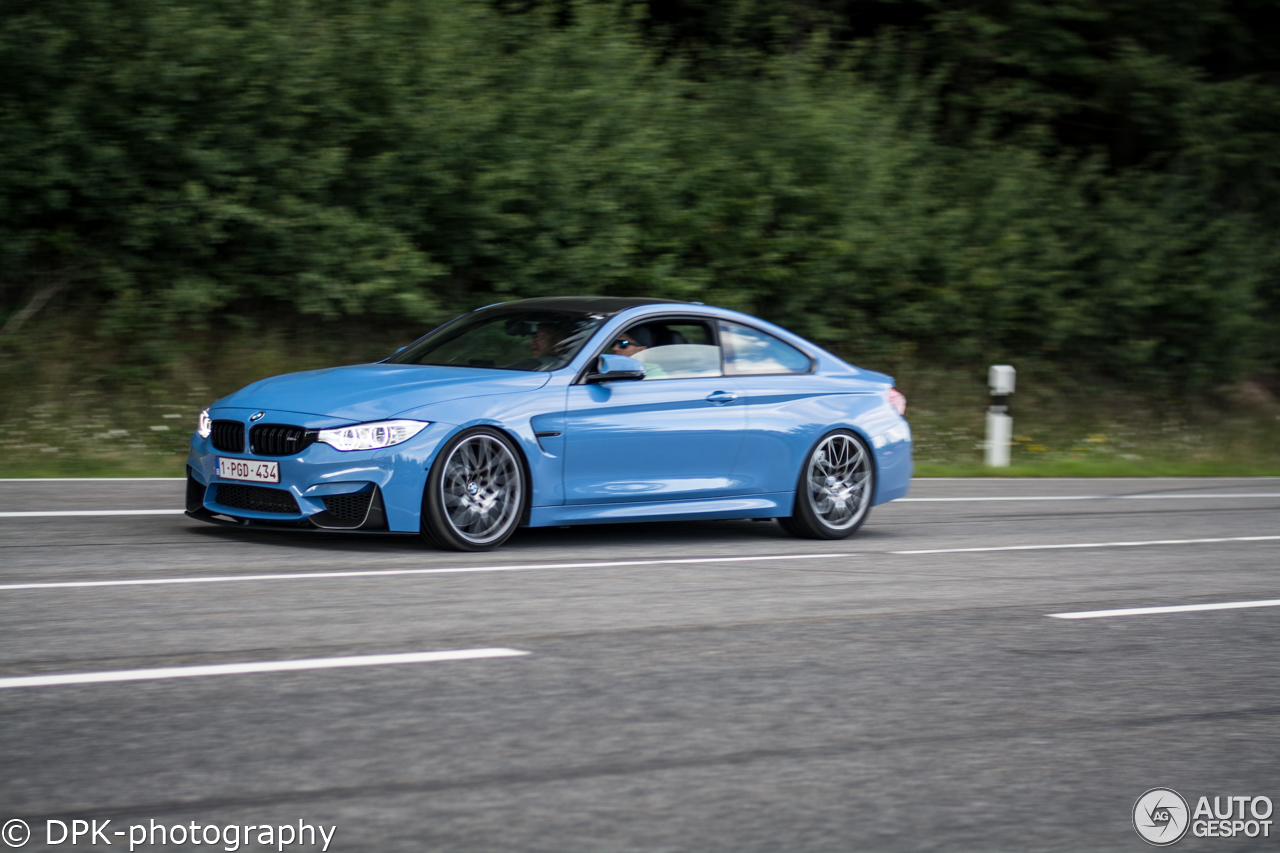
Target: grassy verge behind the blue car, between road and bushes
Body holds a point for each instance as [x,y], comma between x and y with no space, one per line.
[75,407]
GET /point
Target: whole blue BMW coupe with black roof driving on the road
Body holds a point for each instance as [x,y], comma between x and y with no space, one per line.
[557,412]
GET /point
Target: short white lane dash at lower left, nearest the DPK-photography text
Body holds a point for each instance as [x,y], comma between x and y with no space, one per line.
[262,667]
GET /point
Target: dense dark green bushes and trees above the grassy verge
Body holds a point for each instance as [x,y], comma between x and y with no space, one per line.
[1090,183]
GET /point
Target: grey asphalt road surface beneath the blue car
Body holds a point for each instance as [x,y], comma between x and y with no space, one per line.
[719,687]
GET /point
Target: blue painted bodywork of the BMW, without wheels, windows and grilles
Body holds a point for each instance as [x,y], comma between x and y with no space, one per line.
[729,446]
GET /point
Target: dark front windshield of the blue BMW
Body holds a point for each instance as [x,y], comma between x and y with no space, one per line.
[508,341]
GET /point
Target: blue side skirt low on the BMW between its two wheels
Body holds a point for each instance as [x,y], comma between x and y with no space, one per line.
[748,507]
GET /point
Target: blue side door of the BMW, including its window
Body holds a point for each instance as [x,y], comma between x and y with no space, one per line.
[673,436]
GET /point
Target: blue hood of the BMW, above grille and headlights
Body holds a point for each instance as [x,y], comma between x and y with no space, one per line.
[374,391]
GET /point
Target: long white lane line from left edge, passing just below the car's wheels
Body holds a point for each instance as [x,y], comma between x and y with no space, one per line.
[390,573]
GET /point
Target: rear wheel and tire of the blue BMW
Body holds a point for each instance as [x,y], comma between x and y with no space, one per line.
[835,489]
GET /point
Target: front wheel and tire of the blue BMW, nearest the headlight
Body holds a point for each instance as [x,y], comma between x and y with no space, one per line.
[476,492]
